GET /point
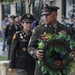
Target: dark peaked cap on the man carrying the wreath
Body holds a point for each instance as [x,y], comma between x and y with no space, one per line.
[47,9]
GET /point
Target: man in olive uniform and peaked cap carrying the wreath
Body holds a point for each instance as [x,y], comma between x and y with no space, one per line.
[50,21]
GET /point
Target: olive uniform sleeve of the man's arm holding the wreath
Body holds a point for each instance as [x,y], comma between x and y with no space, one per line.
[32,47]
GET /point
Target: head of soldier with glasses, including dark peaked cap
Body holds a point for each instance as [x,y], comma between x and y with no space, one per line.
[26,21]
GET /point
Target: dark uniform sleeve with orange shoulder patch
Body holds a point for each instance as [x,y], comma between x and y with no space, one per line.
[13,52]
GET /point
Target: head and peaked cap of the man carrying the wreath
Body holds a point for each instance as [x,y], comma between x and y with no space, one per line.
[49,13]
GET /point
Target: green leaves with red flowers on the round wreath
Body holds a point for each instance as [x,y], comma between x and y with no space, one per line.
[58,49]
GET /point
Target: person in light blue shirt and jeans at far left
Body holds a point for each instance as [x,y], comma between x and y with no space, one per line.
[5,22]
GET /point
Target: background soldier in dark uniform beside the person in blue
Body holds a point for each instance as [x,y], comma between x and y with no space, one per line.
[9,32]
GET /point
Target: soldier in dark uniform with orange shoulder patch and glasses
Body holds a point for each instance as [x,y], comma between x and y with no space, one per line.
[20,59]
